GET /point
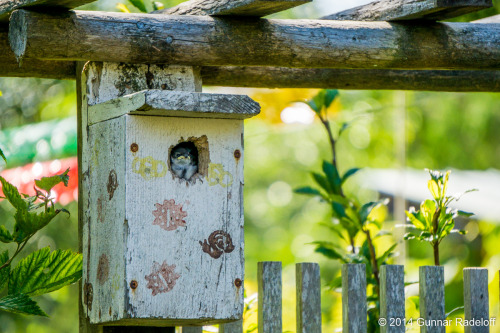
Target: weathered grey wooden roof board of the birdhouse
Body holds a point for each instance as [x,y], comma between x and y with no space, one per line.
[176,104]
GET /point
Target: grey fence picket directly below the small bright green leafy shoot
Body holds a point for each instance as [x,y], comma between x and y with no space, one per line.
[431,289]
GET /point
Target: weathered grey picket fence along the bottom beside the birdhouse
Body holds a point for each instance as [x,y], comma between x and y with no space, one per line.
[354,309]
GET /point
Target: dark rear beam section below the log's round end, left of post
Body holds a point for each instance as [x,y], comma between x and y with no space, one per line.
[9,67]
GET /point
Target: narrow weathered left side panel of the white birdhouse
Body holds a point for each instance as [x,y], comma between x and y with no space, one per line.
[104,265]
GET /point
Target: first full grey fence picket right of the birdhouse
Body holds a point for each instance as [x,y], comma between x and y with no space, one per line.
[269,280]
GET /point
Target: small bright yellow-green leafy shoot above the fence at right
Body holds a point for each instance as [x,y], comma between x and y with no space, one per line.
[435,219]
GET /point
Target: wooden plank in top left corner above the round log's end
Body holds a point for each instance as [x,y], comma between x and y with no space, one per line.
[8,6]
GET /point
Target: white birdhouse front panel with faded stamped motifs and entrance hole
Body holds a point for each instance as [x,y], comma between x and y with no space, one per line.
[184,218]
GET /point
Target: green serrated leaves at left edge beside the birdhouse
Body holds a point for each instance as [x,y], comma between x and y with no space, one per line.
[42,271]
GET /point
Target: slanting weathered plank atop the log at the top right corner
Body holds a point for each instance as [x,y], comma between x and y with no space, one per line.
[402,10]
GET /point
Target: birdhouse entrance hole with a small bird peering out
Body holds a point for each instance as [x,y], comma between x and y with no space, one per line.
[199,154]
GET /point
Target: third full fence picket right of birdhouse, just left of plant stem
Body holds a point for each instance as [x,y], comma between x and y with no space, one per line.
[354,298]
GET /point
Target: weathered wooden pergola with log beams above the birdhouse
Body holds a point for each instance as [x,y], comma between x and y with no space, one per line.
[388,44]
